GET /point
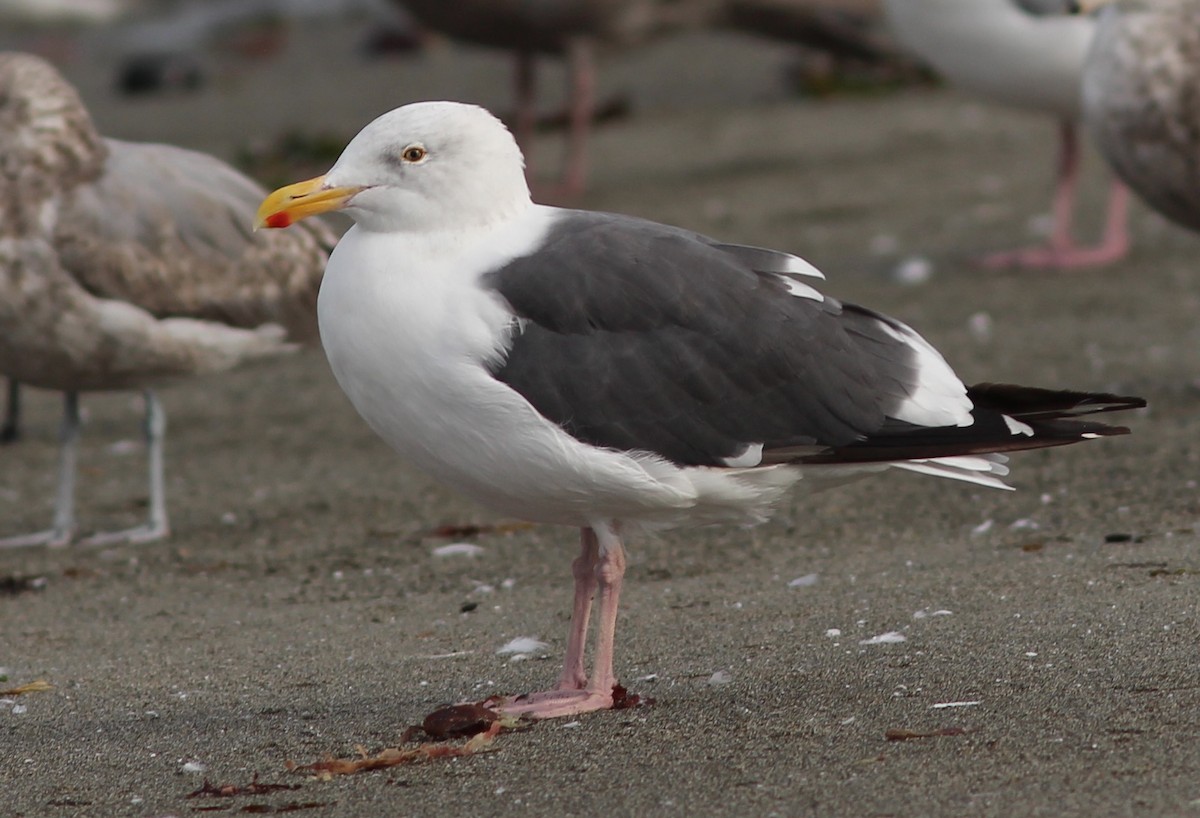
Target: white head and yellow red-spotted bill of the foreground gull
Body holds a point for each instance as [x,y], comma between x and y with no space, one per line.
[425,167]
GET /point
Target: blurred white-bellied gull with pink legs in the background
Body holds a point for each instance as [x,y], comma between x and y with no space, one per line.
[1028,55]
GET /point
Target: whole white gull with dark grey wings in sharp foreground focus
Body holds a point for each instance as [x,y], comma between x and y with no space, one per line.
[611,374]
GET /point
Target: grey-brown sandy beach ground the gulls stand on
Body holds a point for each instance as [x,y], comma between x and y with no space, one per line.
[298,610]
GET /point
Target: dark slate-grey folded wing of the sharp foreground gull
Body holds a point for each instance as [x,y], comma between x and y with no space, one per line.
[635,336]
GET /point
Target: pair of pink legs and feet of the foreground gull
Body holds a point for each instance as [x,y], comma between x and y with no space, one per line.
[572,697]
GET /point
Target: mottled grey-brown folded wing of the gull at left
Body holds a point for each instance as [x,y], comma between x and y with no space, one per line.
[171,231]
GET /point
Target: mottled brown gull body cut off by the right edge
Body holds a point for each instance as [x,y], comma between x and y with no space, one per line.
[1142,101]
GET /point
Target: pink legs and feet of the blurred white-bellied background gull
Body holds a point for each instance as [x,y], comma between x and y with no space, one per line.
[1063,252]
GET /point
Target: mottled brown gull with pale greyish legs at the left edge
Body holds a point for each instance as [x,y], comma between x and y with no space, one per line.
[127,264]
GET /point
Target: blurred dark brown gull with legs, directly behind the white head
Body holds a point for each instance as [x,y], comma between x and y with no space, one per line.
[569,28]
